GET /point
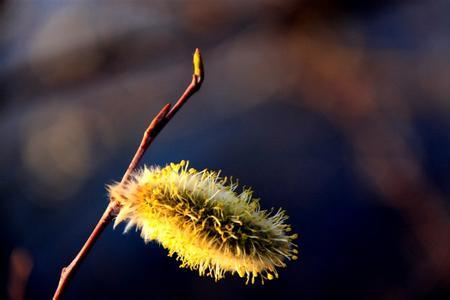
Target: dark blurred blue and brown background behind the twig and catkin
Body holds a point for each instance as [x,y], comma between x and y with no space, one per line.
[337,111]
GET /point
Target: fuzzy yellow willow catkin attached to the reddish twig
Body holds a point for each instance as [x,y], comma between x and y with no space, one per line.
[198,216]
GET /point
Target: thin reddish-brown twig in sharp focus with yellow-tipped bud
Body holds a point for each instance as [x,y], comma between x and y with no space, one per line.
[155,127]
